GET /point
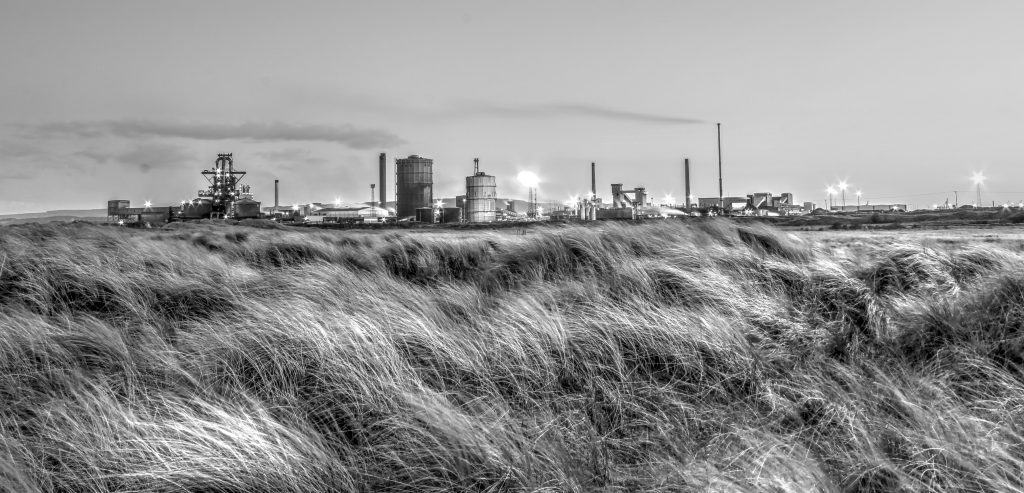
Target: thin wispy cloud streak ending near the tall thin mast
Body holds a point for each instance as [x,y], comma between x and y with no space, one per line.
[568,110]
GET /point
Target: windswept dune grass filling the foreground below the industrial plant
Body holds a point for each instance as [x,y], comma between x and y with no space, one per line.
[663,357]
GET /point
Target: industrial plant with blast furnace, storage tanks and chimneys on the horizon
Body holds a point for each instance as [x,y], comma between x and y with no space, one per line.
[227,198]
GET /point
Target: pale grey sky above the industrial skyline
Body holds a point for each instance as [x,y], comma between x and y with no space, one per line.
[133,100]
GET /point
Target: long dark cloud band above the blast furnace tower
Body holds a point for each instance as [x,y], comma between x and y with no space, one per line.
[272,132]
